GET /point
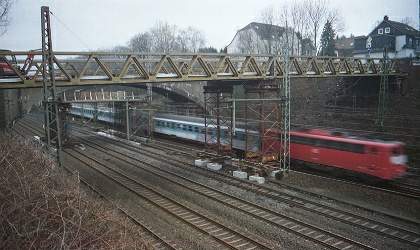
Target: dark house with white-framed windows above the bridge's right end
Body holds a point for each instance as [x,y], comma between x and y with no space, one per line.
[400,40]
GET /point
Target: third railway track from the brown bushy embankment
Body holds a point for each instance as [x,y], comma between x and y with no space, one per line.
[304,230]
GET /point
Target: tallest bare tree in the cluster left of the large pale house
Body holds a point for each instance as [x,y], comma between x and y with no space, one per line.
[164,38]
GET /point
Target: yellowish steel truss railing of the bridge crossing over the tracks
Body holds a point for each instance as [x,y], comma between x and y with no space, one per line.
[91,68]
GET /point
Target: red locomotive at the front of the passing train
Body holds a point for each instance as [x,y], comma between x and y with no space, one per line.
[382,159]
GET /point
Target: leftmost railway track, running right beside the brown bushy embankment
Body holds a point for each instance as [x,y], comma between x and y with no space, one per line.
[155,239]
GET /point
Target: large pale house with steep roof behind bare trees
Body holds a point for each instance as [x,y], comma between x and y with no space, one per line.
[261,38]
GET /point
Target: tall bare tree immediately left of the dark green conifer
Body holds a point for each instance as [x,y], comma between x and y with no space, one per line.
[317,13]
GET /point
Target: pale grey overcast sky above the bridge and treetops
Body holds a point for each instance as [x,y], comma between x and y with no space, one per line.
[93,24]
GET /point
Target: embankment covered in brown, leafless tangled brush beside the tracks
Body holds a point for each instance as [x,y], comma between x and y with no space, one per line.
[43,207]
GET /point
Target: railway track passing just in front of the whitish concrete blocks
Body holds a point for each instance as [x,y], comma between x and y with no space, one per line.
[384,229]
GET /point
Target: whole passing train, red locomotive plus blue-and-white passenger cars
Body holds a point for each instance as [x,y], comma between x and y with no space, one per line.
[382,159]
